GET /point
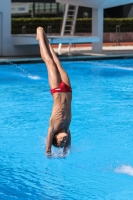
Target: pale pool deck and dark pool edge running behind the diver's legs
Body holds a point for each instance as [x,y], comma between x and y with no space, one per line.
[79,53]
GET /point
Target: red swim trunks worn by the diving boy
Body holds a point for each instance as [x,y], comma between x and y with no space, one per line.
[61,88]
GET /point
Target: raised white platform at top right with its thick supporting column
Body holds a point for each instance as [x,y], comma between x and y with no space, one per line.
[97,15]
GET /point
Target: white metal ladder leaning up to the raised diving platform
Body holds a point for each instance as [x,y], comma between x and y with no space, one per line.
[69,22]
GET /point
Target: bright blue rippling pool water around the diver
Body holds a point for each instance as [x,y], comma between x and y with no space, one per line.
[100,164]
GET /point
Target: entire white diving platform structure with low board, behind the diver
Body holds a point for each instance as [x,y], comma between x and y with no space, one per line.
[25,45]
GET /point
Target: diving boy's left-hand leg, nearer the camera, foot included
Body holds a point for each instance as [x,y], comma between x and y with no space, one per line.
[53,72]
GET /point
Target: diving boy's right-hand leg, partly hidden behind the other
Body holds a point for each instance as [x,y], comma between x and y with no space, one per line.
[63,74]
